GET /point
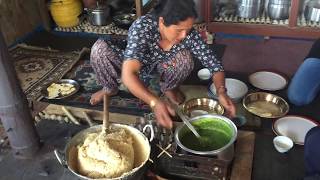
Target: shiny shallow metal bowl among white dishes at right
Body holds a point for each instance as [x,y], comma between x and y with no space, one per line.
[265,105]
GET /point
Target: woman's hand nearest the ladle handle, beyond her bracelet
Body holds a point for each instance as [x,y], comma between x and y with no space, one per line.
[162,111]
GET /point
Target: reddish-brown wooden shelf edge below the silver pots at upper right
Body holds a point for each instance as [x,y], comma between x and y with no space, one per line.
[264,30]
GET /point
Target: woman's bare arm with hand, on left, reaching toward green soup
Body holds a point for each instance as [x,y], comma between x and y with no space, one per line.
[130,70]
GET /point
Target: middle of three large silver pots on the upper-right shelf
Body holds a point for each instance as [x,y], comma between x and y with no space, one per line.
[278,11]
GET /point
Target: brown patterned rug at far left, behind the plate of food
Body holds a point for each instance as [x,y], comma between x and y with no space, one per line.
[37,67]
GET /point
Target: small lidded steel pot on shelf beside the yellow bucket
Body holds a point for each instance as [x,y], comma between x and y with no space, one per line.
[98,16]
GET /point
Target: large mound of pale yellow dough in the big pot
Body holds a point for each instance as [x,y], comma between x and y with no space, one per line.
[106,155]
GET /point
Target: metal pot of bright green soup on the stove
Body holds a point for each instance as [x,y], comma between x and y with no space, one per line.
[218,134]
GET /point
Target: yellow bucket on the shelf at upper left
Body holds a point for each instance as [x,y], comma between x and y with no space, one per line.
[65,12]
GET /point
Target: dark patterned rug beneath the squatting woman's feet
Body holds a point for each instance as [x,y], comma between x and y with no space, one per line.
[123,102]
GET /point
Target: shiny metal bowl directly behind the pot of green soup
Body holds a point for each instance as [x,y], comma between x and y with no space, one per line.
[201,106]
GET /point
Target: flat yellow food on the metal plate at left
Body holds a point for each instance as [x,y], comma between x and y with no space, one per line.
[60,89]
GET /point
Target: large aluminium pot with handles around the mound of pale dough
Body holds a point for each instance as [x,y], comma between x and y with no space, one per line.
[141,147]
